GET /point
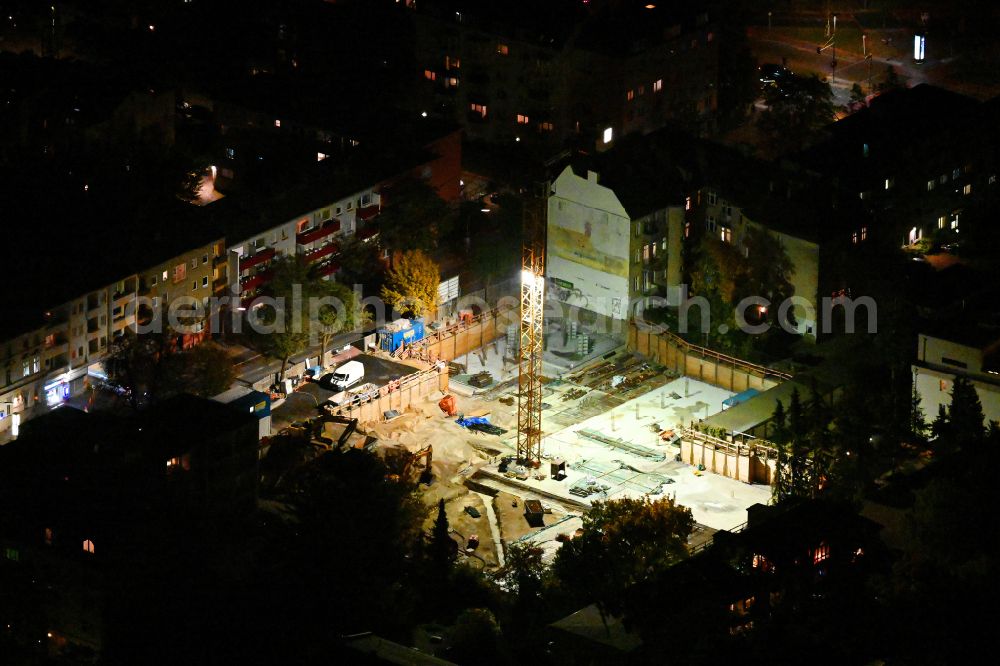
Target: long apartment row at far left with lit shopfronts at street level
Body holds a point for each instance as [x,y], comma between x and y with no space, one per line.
[66,307]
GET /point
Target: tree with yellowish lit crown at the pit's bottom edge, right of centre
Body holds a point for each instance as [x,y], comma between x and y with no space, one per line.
[623,542]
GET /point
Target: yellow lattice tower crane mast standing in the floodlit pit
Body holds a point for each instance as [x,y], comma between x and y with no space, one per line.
[531,343]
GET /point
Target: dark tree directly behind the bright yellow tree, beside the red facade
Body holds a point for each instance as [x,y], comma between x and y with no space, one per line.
[412,216]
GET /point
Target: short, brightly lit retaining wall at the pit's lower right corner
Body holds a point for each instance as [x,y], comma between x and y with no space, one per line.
[750,462]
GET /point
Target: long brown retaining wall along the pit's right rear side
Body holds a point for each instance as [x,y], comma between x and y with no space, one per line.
[707,365]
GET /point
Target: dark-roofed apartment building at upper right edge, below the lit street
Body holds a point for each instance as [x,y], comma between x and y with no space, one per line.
[920,160]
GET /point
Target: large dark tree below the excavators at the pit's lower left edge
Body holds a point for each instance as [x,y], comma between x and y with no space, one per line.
[352,542]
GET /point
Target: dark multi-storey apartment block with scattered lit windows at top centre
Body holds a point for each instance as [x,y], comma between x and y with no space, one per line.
[545,73]
